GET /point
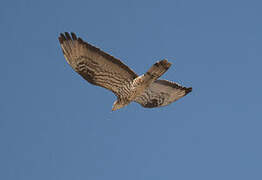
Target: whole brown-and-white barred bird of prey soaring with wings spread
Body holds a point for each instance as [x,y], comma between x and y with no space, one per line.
[102,69]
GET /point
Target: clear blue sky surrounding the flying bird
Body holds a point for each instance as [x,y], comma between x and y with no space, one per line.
[56,126]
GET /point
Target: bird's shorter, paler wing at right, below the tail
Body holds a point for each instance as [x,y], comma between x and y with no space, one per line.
[162,93]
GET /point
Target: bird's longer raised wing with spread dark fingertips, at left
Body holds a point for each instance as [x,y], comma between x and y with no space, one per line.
[94,65]
